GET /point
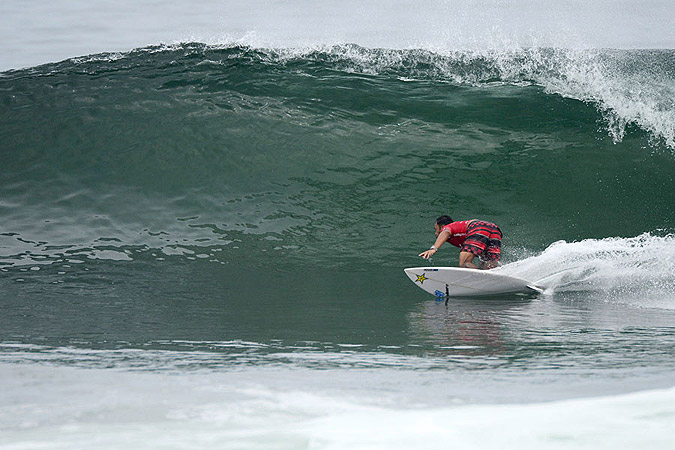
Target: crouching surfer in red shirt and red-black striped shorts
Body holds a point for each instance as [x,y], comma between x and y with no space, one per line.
[473,237]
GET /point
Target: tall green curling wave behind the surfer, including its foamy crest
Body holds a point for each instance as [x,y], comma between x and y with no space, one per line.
[254,157]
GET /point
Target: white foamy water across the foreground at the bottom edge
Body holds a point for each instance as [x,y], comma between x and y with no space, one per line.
[65,408]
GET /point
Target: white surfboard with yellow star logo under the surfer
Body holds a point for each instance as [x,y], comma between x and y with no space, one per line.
[461,282]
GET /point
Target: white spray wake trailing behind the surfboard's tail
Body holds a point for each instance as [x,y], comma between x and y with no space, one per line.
[639,271]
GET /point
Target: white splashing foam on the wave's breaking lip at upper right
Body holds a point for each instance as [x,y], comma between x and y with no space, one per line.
[627,88]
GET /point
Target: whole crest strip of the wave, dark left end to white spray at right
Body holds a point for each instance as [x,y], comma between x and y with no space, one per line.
[628,87]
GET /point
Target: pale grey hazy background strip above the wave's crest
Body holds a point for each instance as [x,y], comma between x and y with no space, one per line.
[84,28]
